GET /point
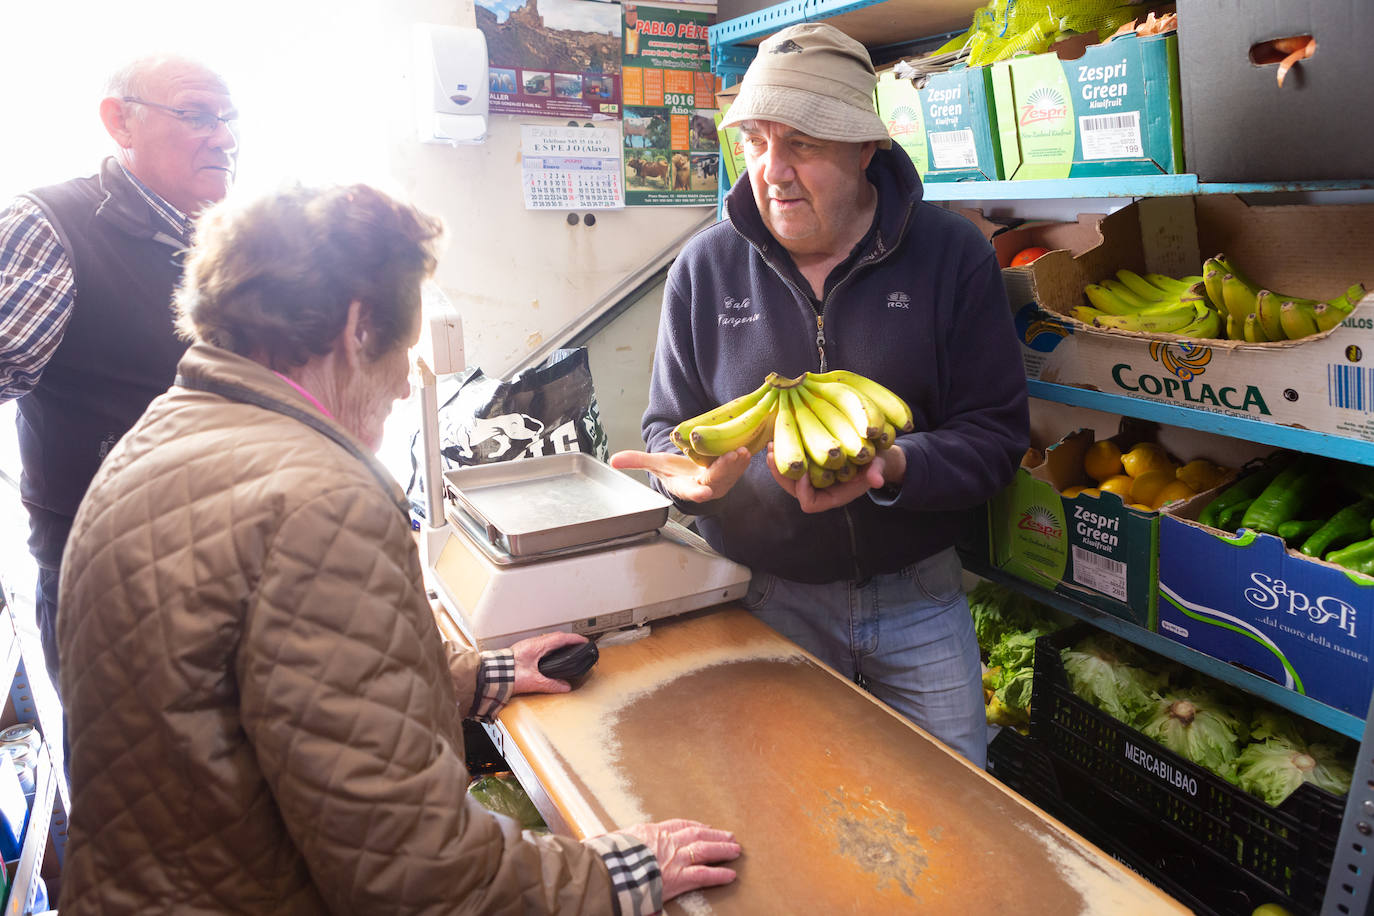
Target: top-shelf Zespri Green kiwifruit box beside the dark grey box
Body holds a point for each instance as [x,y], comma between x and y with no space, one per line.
[1116,111]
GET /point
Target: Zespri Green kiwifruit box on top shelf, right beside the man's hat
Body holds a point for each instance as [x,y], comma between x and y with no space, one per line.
[946,127]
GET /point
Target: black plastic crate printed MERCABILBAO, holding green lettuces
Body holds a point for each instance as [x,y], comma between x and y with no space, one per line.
[1276,855]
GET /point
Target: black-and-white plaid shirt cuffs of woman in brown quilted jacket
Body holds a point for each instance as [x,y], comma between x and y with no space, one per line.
[637,884]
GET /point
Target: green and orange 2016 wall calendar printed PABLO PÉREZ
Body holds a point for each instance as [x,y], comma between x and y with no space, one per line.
[668,93]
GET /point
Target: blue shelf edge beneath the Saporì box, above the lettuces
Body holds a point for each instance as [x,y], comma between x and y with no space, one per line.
[1254,685]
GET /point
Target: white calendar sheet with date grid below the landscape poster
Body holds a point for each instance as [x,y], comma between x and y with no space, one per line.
[572,168]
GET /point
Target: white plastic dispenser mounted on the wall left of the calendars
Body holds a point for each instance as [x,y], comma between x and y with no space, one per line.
[451,78]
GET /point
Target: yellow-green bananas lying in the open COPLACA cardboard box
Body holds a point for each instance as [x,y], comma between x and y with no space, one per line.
[1221,303]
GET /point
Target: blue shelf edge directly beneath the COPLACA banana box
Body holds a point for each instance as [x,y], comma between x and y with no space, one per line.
[1239,428]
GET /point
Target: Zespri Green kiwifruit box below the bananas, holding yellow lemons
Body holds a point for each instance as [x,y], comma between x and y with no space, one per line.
[1096,550]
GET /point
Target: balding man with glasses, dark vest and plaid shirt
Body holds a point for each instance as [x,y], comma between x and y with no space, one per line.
[87,274]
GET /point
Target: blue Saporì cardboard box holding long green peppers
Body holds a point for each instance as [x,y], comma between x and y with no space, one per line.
[1248,601]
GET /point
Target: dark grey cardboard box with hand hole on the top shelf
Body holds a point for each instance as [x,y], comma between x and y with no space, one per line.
[1240,126]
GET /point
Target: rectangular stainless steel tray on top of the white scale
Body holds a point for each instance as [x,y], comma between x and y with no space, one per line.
[549,503]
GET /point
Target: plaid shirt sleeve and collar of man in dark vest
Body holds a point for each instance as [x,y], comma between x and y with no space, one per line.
[38,288]
